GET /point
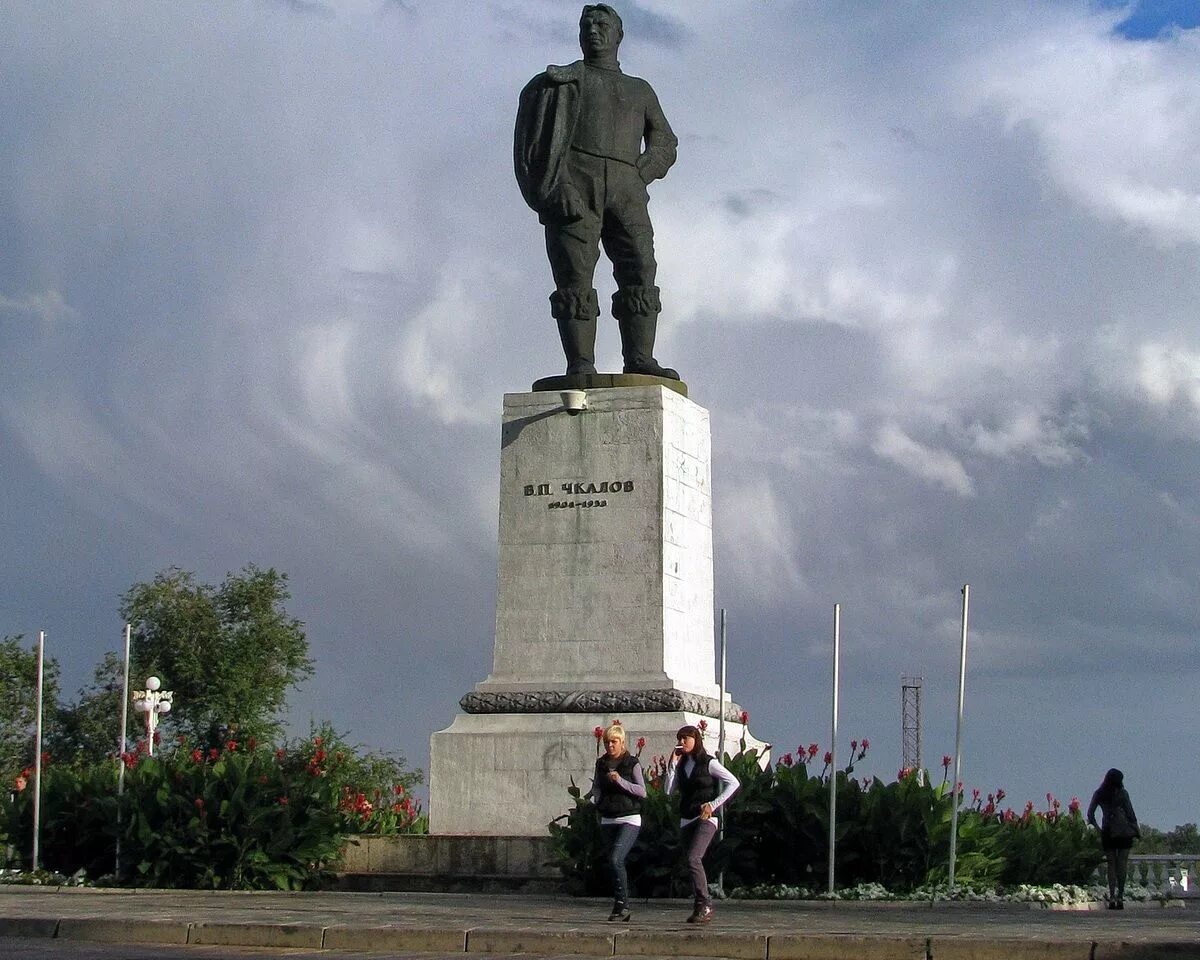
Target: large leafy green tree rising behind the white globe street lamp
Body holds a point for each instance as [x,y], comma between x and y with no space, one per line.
[230,653]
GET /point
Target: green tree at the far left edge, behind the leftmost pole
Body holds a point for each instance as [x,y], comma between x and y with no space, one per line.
[19,705]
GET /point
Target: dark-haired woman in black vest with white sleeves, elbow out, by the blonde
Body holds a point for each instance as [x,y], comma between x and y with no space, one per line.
[705,785]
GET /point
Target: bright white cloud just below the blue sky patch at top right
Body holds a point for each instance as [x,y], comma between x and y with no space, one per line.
[1118,123]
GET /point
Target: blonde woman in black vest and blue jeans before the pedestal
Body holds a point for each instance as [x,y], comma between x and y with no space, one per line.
[619,790]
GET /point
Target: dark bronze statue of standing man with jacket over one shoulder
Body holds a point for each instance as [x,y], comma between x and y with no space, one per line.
[589,140]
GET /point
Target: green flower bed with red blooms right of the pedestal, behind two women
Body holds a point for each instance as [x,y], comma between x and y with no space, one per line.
[777,833]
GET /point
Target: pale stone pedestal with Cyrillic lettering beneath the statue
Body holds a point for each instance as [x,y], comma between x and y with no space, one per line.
[604,605]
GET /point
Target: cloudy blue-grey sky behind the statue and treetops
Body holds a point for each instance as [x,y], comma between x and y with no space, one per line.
[266,275]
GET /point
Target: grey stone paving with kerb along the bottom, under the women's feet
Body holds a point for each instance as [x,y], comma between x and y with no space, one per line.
[559,926]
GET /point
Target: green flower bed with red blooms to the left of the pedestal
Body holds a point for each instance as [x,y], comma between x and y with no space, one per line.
[243,817]
